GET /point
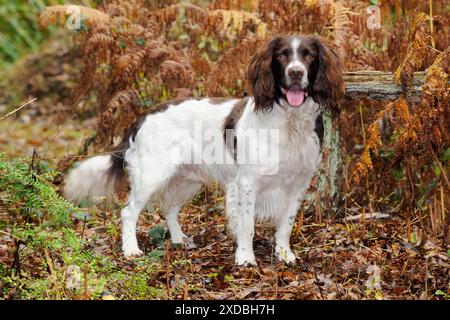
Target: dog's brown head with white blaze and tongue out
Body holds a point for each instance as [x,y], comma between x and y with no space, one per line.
[290,68]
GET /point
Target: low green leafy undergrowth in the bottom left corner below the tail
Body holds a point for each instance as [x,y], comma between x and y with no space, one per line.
[65,266]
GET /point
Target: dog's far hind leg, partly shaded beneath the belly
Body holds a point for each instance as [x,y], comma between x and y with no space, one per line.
[171,202]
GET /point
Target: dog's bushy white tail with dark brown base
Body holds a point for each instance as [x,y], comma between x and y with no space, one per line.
[94,178]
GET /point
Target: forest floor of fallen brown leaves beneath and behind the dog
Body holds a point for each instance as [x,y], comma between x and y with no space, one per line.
[337,258]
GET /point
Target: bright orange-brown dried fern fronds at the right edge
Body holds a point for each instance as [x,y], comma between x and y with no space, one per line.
[419,127]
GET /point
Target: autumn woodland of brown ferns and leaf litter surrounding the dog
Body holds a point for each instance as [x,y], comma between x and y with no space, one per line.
[385,237]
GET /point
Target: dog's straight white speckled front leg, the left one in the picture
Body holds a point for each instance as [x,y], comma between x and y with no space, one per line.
[245,226]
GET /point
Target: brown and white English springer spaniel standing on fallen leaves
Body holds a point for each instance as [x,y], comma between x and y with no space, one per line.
[292,79]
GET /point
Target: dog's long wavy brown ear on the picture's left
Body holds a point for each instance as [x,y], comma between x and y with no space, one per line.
[261,78]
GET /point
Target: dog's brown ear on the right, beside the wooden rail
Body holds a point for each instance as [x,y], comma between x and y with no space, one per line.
[328,87]
